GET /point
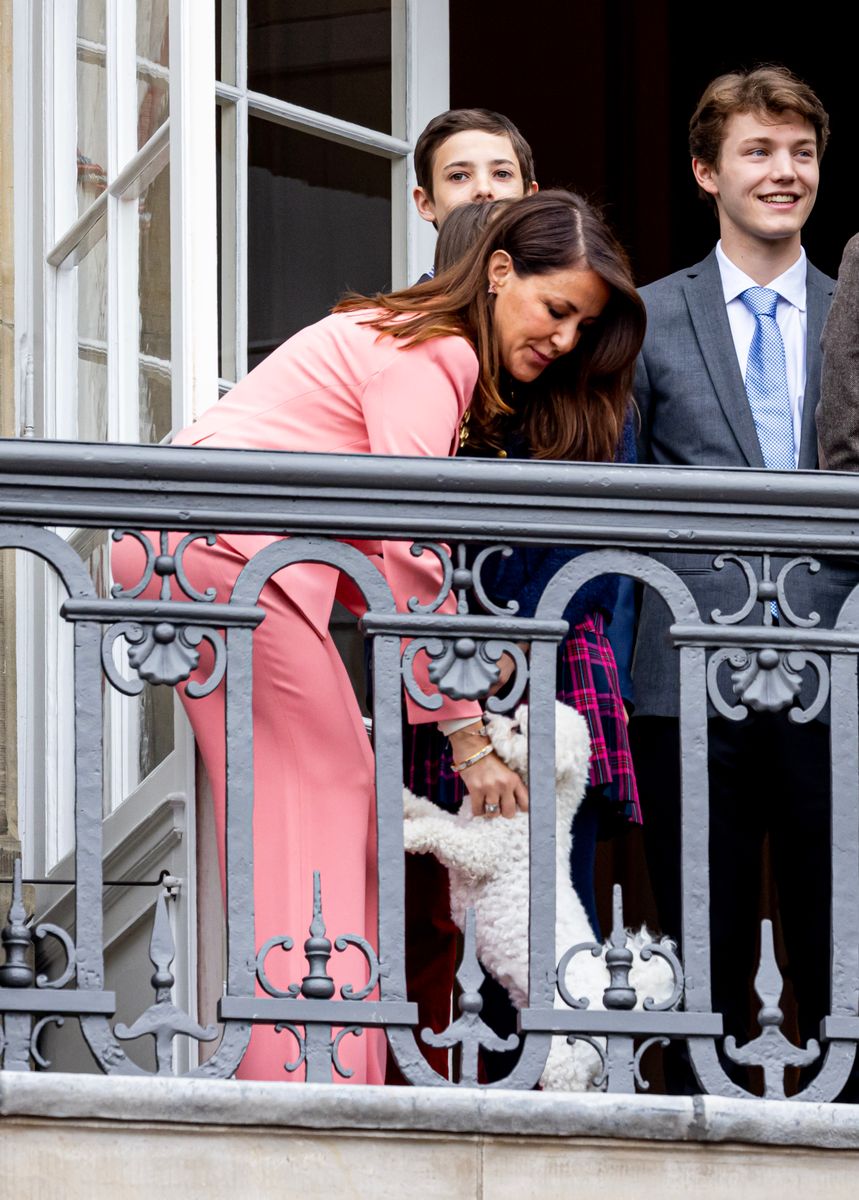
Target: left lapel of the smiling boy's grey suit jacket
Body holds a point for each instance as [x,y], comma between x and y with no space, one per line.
[710,317]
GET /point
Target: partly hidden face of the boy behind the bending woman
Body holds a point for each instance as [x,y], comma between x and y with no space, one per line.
[472,167]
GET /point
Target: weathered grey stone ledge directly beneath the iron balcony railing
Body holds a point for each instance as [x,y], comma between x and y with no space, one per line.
[235,1103]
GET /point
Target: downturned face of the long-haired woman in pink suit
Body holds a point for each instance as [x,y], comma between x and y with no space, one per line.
[537,319]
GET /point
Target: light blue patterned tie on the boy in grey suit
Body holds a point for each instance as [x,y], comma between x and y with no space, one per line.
[767,382]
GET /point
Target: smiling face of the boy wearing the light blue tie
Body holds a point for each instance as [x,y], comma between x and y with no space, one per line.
[766,183]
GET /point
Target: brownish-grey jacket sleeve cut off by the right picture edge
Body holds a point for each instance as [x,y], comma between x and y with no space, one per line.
[838,415]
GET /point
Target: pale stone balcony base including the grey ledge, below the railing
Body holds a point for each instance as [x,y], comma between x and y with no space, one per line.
[65,1137]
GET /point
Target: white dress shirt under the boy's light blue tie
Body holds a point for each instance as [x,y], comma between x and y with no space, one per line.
[790,315]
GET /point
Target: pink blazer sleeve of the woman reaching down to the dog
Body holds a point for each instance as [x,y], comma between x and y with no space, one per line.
[413,406]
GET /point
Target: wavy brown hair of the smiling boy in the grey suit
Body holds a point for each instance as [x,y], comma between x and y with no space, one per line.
[768,89]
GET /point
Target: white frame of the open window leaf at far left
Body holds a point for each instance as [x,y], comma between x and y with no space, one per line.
[155,820]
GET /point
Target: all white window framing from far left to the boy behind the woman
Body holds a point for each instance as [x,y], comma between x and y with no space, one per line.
[154,820]
